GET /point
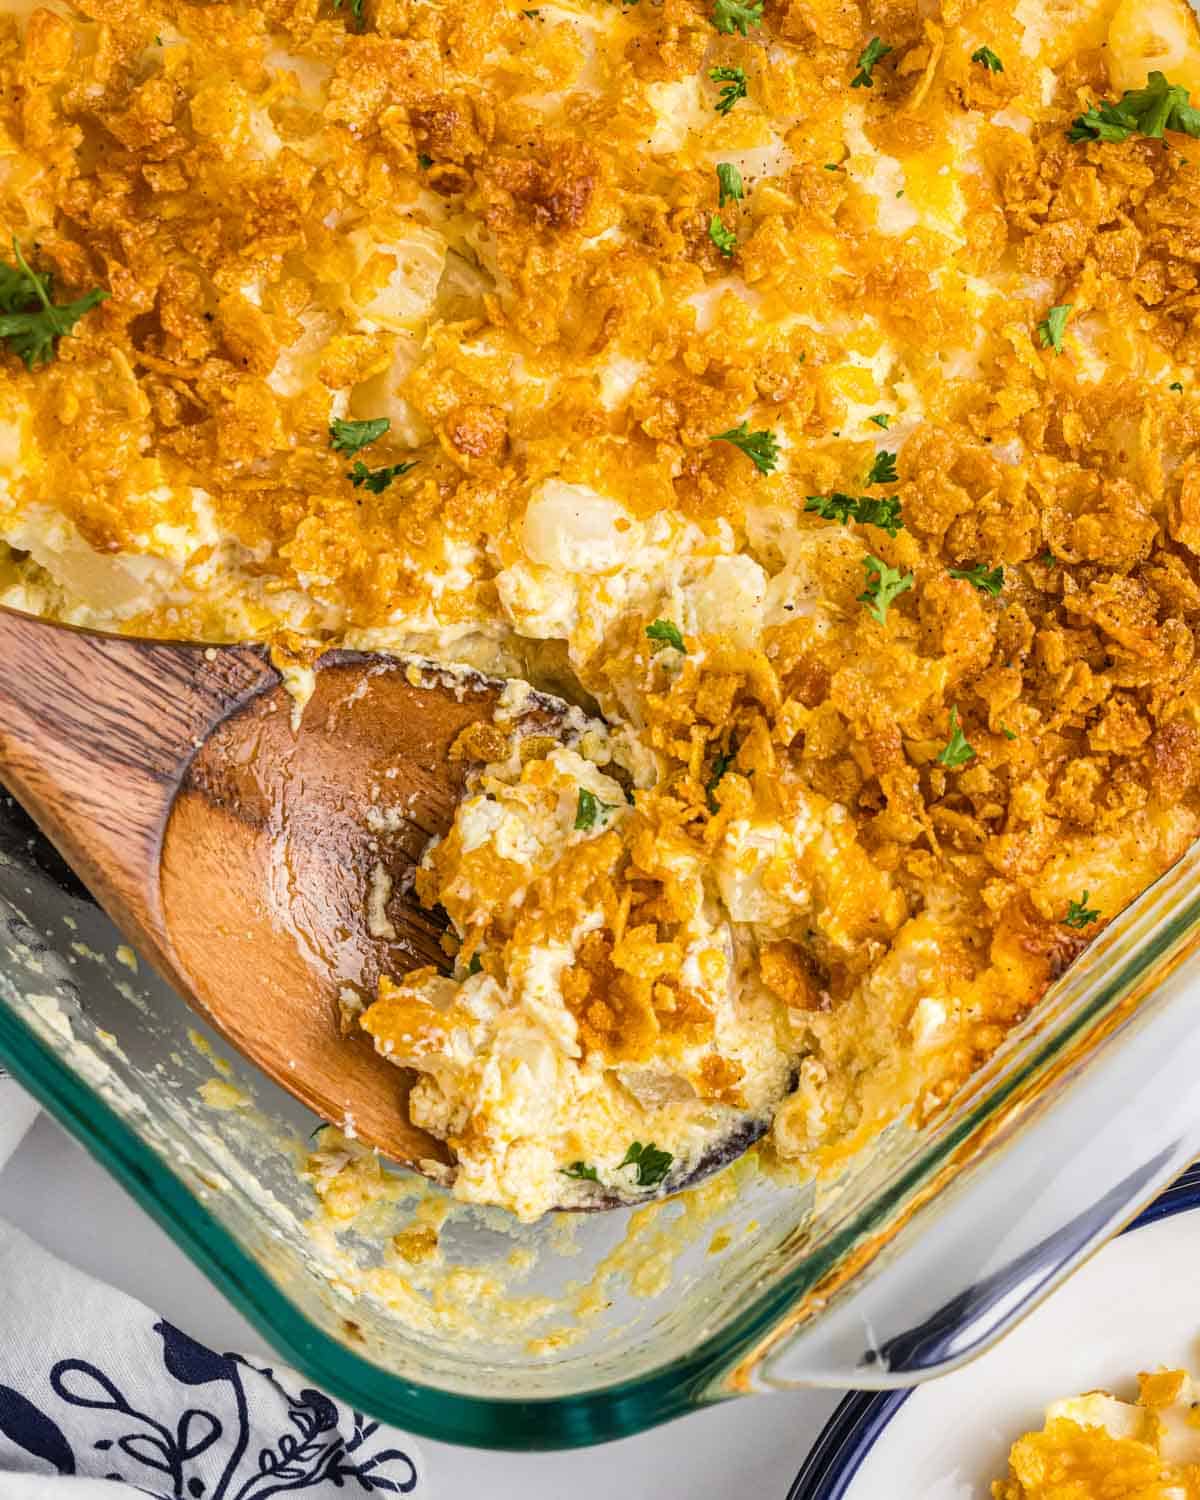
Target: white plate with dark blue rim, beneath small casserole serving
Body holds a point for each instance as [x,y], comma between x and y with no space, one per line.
[1136,1306]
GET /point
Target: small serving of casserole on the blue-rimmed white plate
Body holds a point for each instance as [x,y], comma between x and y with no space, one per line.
[1097,1445]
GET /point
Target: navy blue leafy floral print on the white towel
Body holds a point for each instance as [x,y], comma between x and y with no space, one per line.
[202,1427]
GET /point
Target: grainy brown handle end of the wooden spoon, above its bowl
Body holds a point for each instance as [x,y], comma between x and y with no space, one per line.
[95,736]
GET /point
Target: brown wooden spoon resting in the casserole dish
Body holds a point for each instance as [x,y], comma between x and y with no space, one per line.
[232,841]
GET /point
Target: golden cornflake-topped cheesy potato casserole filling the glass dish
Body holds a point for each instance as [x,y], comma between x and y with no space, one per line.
[784,379]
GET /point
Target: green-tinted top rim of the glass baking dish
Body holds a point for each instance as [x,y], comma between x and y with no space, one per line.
[611,1412]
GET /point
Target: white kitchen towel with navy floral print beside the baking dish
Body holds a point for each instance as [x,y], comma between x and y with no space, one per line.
[95,1387]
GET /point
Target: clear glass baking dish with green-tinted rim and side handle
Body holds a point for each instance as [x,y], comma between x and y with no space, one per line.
[575,1333]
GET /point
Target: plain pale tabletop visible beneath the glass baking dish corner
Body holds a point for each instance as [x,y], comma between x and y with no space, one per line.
[754,1448]
